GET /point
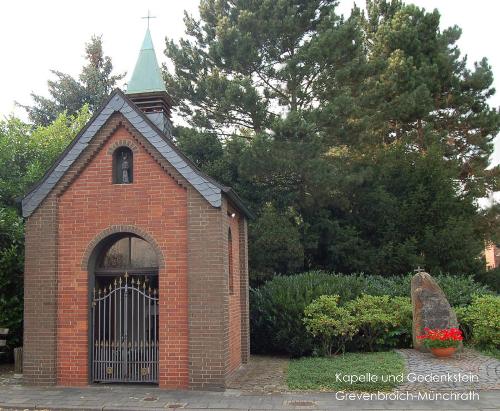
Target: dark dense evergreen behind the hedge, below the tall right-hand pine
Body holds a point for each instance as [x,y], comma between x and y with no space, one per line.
[399,209]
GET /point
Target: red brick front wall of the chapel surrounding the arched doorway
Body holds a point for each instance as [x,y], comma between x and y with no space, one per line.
[154,204]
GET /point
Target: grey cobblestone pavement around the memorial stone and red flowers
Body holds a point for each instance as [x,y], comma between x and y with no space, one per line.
[482,372]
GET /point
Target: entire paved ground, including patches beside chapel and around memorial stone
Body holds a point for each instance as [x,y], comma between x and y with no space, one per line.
[260,386]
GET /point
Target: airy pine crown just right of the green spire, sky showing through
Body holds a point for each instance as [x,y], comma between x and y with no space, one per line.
[244,63]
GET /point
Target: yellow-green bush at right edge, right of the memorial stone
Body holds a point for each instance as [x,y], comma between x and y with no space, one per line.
[482,320]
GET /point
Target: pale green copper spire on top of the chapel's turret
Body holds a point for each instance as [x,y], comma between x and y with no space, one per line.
[147,75]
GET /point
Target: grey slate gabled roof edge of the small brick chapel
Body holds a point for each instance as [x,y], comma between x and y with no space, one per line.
[119,102]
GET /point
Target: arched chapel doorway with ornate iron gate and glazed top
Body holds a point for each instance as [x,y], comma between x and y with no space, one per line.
[124,311]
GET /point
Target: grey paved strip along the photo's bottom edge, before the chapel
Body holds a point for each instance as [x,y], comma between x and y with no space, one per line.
[148,398]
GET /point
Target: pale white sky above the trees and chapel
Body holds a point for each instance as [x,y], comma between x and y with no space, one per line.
[37,36]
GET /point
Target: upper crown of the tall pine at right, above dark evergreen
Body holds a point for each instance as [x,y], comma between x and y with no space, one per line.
[416,88]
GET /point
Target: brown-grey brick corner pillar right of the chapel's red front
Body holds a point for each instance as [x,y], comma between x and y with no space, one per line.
[207,296]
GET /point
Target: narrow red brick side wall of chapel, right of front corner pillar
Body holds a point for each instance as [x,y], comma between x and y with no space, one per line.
[234,296]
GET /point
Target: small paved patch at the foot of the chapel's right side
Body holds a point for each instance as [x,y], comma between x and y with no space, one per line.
[265,375]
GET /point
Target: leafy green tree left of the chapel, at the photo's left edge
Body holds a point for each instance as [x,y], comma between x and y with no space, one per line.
[26,152]
